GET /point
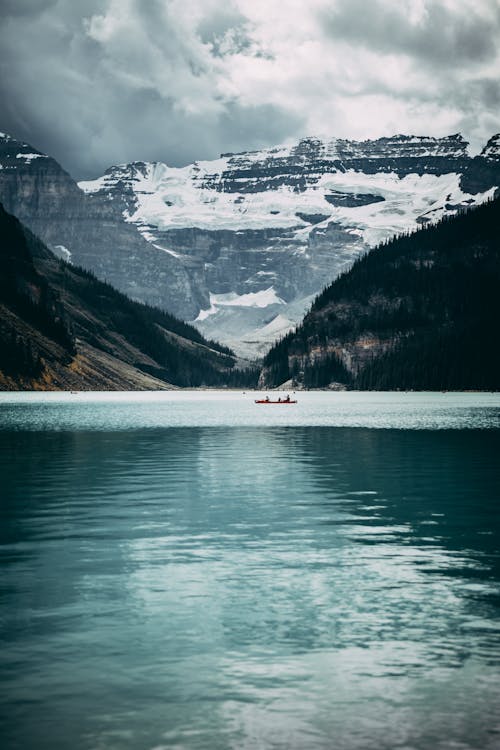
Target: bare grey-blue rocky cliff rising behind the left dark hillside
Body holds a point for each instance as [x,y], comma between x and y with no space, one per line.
[90,231]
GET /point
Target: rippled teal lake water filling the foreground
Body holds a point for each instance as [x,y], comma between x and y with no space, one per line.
[195,571]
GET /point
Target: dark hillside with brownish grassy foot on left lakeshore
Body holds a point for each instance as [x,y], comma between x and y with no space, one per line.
[62,328]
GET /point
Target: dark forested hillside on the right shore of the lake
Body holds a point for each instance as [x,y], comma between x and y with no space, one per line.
[420,311]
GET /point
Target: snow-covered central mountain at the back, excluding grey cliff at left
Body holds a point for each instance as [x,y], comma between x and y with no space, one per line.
[288,218]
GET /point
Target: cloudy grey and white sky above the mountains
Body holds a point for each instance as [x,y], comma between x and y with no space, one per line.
[101,82]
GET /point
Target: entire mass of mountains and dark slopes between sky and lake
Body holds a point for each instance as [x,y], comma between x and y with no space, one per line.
[202,269]
